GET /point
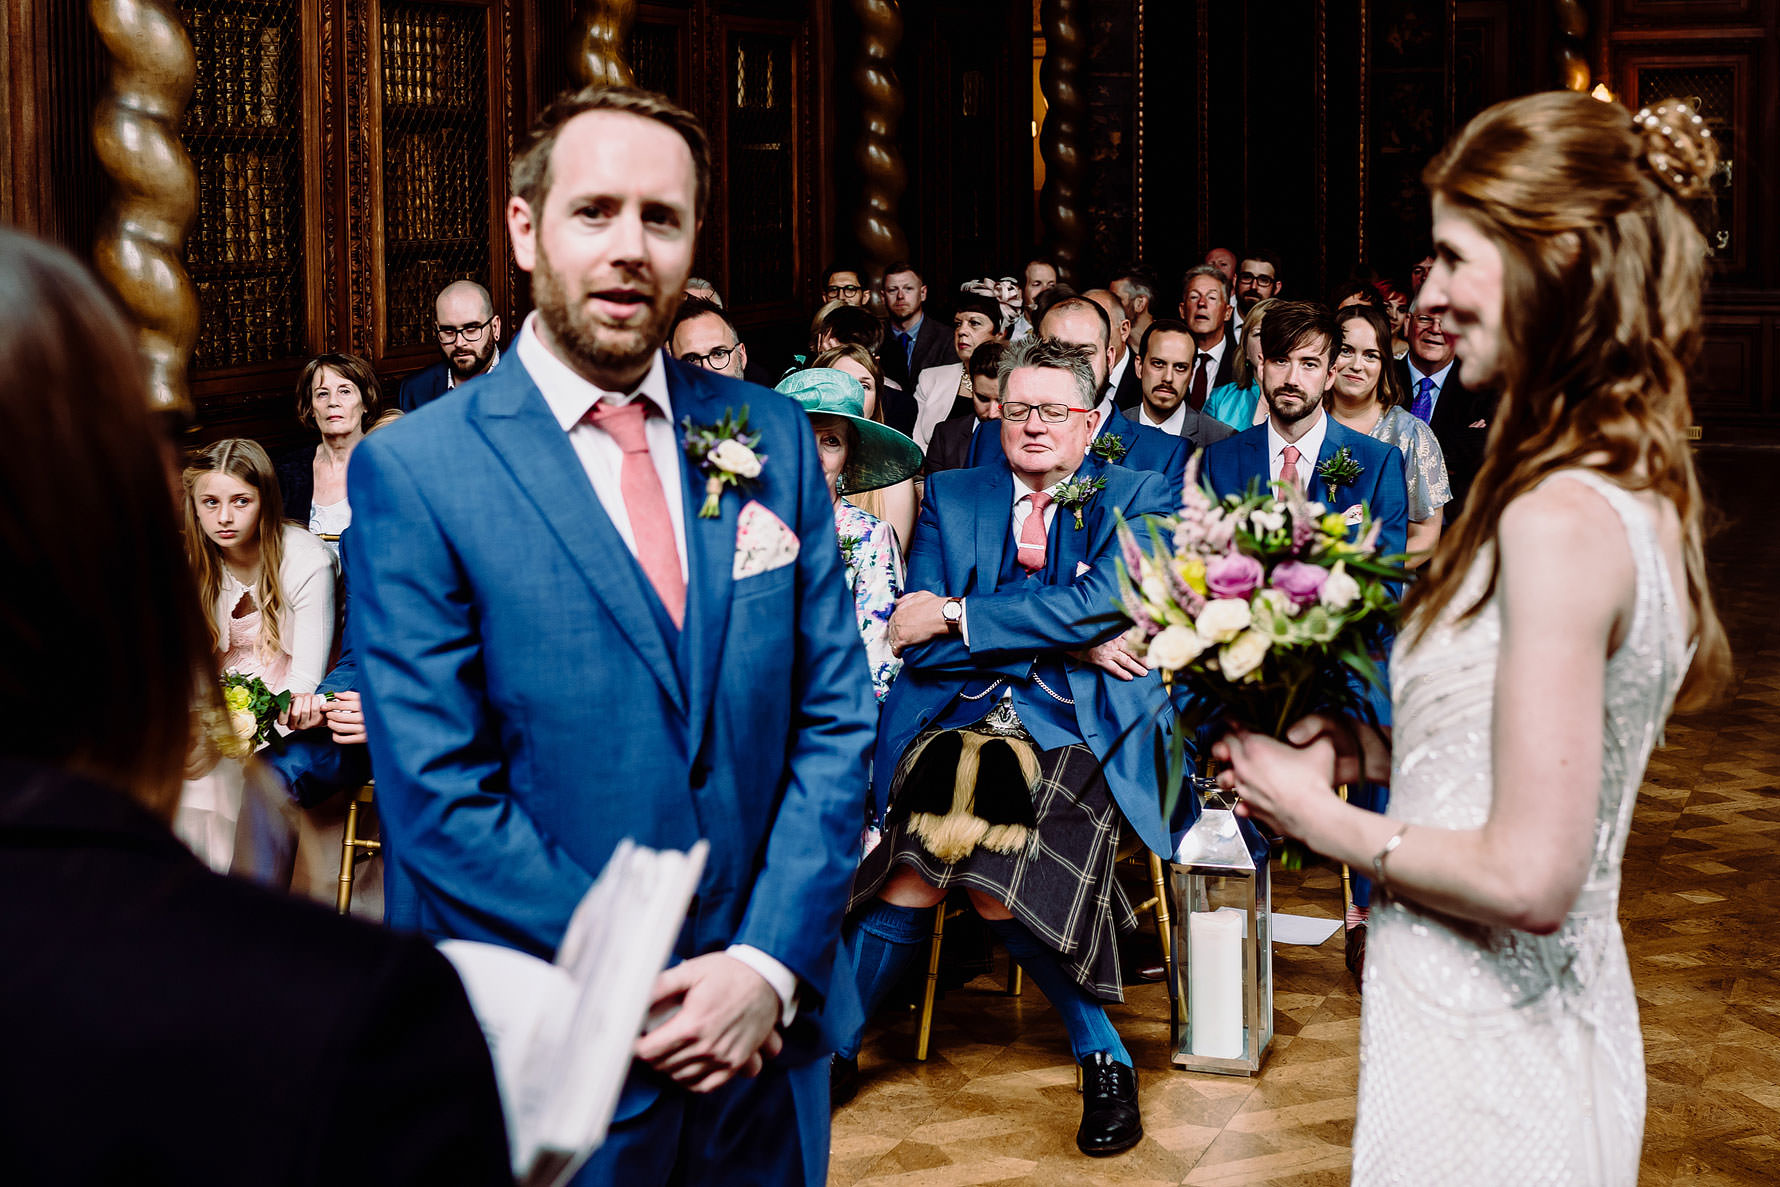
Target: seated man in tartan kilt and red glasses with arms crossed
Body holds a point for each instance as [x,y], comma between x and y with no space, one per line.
[1005,739]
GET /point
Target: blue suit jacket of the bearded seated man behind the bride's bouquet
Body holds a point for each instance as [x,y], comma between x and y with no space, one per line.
[1231,465]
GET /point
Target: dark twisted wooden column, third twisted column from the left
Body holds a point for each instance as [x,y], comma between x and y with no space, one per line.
[877,225]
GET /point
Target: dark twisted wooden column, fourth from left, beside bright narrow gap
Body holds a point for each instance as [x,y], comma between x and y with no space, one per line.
[1062,140]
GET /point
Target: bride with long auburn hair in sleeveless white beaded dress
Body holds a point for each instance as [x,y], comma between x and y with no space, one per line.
[1539,663]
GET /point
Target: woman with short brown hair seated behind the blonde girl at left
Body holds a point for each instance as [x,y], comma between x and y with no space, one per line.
[339,396]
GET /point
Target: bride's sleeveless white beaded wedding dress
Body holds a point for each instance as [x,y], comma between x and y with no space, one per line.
[1494,1056]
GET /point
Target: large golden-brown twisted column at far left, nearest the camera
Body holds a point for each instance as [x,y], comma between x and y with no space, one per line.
[142,243]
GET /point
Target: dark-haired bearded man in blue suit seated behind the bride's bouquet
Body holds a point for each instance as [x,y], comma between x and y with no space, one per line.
[1299,343]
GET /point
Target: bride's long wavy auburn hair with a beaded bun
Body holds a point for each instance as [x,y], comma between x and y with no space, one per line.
[1603,270]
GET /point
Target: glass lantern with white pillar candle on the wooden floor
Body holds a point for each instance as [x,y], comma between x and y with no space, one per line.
[1224,948]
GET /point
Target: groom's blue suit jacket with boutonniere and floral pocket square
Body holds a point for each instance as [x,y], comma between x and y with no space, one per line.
[528,709]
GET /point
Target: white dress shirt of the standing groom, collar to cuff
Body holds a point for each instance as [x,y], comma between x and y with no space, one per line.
[570,398]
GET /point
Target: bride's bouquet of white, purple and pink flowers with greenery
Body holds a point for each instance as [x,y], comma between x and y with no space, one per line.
[1261,608]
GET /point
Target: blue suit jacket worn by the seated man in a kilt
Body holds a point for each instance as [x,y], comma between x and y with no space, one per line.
[960,542]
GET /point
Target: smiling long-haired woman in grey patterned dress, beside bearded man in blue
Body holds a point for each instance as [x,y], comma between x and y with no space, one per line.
[1370,400]
